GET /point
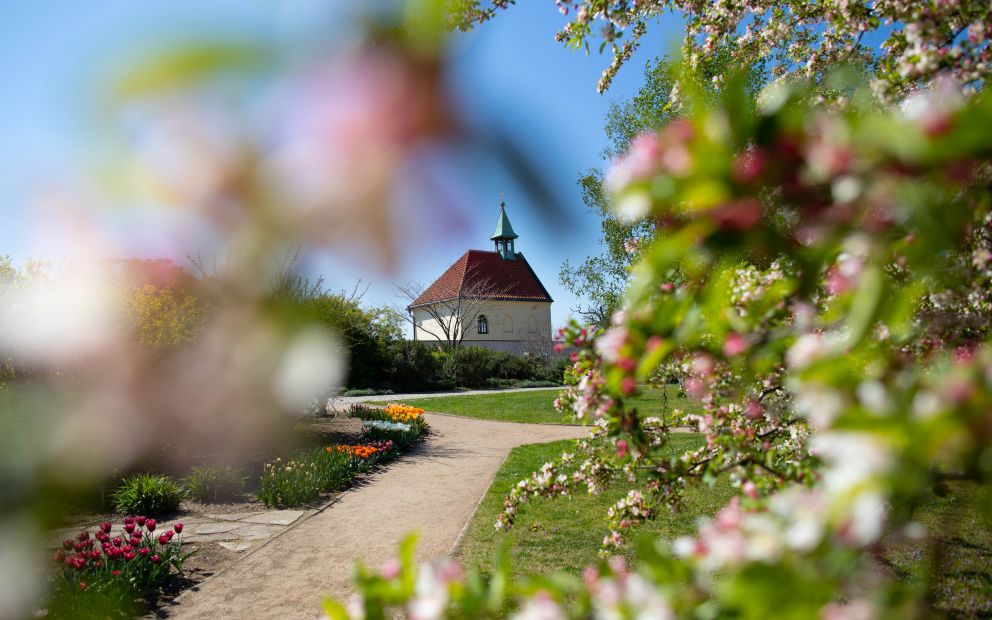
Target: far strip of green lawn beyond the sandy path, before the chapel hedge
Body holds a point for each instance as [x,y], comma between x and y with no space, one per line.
[536,406]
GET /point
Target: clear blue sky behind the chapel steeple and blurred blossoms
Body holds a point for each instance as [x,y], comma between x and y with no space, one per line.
[508,74]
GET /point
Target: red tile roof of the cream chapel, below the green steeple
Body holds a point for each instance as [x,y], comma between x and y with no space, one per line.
[490,274]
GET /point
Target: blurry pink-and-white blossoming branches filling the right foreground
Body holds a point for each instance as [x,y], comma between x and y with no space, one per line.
[837,392]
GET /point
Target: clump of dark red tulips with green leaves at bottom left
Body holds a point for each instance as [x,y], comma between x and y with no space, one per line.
[108,574]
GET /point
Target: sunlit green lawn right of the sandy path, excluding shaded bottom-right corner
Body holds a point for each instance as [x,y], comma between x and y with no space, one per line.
[564,534]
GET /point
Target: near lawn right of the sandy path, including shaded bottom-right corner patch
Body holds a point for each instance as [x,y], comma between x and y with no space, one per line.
[564,534]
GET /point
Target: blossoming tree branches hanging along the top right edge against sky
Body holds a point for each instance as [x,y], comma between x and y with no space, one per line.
[804,40]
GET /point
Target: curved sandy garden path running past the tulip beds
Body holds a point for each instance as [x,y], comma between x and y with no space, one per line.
[432,490]
